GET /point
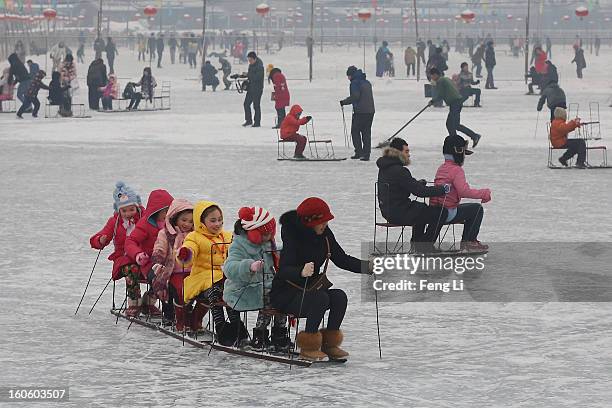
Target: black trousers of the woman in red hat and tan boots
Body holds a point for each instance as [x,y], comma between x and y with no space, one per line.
[315,304]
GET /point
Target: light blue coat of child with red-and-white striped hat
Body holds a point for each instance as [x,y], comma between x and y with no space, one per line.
[243,289]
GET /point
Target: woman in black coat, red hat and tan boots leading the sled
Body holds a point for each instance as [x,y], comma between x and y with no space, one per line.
[308,246]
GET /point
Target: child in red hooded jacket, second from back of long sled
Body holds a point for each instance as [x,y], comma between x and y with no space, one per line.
[139,247]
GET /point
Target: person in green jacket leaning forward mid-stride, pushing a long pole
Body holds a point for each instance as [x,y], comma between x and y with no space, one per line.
[447,92]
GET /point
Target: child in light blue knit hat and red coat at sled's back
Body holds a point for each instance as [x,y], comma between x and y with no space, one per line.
[128,210]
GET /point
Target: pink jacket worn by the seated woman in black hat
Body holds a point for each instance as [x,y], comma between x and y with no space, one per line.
[452,173]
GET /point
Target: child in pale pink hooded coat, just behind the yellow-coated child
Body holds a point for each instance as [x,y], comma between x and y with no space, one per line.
[169,274]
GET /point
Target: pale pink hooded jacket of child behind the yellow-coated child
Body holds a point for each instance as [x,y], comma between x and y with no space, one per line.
[169,241]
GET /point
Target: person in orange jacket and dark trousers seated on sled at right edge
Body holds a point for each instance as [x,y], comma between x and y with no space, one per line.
[559,130]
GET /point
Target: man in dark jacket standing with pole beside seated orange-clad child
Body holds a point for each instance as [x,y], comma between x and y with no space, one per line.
[362,99]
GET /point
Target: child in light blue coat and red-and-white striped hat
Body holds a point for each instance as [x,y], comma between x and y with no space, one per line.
[250,268]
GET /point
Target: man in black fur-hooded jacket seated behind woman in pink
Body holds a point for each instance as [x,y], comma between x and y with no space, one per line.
[396,185]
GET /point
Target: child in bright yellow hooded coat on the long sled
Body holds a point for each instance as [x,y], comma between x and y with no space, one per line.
[205,250]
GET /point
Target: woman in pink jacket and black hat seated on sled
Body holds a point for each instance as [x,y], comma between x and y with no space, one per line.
[470,214]
